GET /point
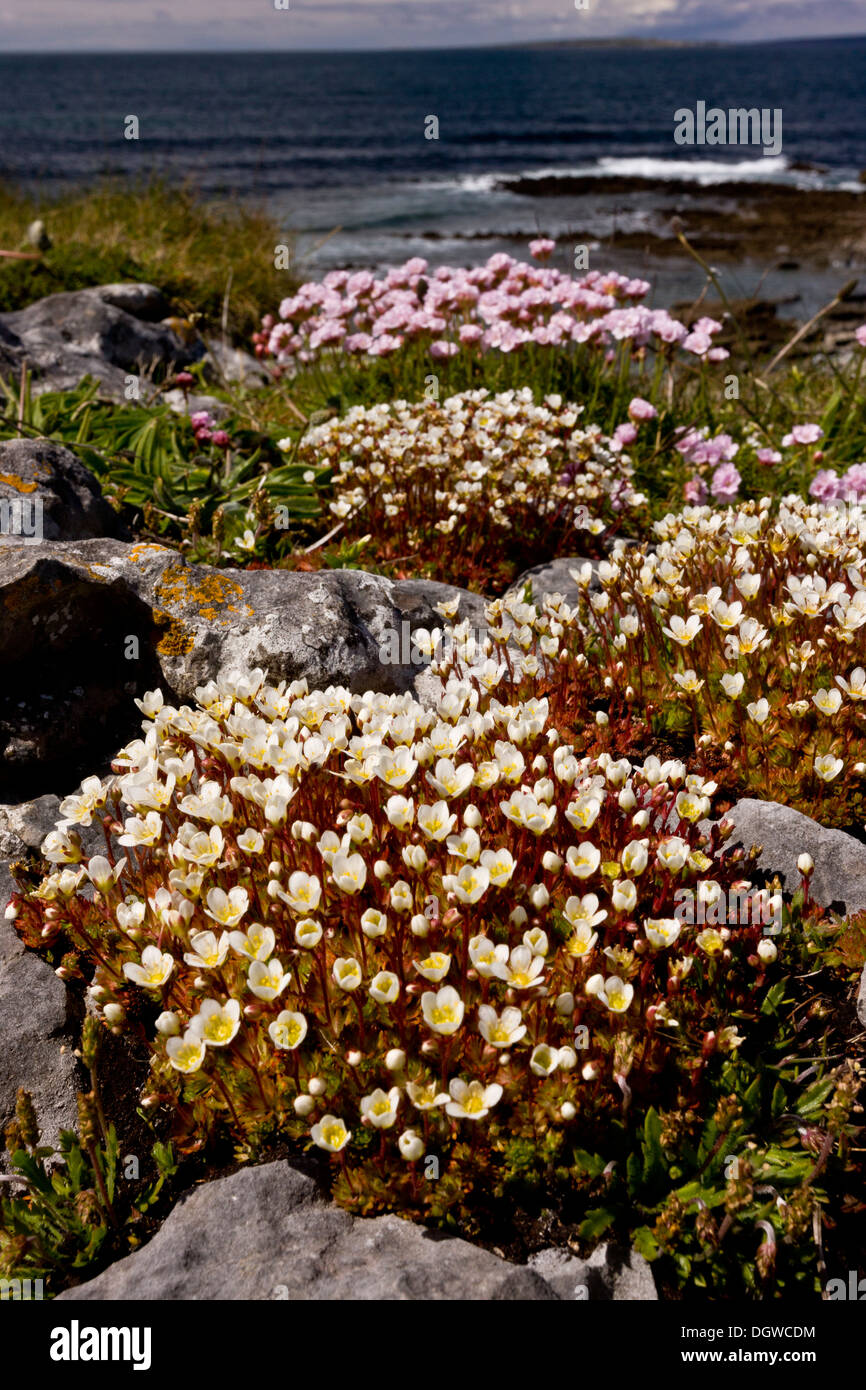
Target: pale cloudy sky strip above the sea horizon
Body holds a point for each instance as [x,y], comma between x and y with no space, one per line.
[90,26]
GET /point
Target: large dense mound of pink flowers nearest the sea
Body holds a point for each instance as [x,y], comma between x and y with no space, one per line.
[504,305]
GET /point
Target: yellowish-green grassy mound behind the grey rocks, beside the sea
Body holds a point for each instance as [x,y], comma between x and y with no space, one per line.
[197,252]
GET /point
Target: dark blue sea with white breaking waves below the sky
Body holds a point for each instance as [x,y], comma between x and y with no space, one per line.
[336,142]
